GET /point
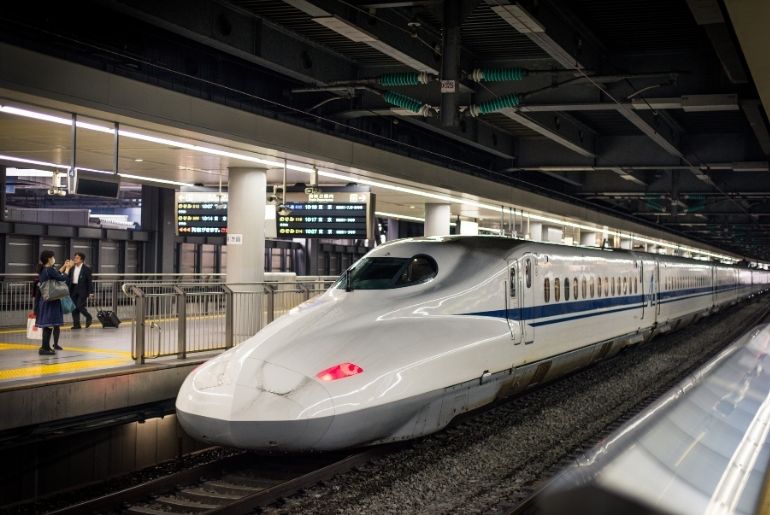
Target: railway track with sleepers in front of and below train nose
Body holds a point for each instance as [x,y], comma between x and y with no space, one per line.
[232,485]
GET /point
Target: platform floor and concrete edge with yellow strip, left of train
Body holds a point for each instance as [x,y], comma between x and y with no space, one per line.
[93,375]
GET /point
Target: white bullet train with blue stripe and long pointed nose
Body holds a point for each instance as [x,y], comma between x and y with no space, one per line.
[421,330]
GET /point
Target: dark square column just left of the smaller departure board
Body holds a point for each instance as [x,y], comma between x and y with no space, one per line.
[158,218]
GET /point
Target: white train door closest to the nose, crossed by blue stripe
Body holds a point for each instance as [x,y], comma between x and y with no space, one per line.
[524,271]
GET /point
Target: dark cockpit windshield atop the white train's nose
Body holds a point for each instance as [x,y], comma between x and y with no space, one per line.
[382,273]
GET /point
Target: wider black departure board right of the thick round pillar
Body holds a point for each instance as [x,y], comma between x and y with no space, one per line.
[323,215]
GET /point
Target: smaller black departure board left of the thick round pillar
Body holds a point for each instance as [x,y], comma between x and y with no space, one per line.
[201,213]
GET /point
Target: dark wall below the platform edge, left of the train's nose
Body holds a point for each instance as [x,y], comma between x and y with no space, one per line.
[33,471]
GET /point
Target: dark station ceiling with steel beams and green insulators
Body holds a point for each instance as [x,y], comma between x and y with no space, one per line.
[649,109]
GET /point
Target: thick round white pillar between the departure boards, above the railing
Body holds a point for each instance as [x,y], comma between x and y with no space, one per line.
[245,225]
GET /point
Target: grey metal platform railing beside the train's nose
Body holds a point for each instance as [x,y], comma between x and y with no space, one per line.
[180,319]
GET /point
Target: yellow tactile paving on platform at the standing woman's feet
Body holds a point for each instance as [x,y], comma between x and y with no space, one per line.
[53,366]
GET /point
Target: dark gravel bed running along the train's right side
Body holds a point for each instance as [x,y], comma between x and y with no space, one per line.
[491,461]
